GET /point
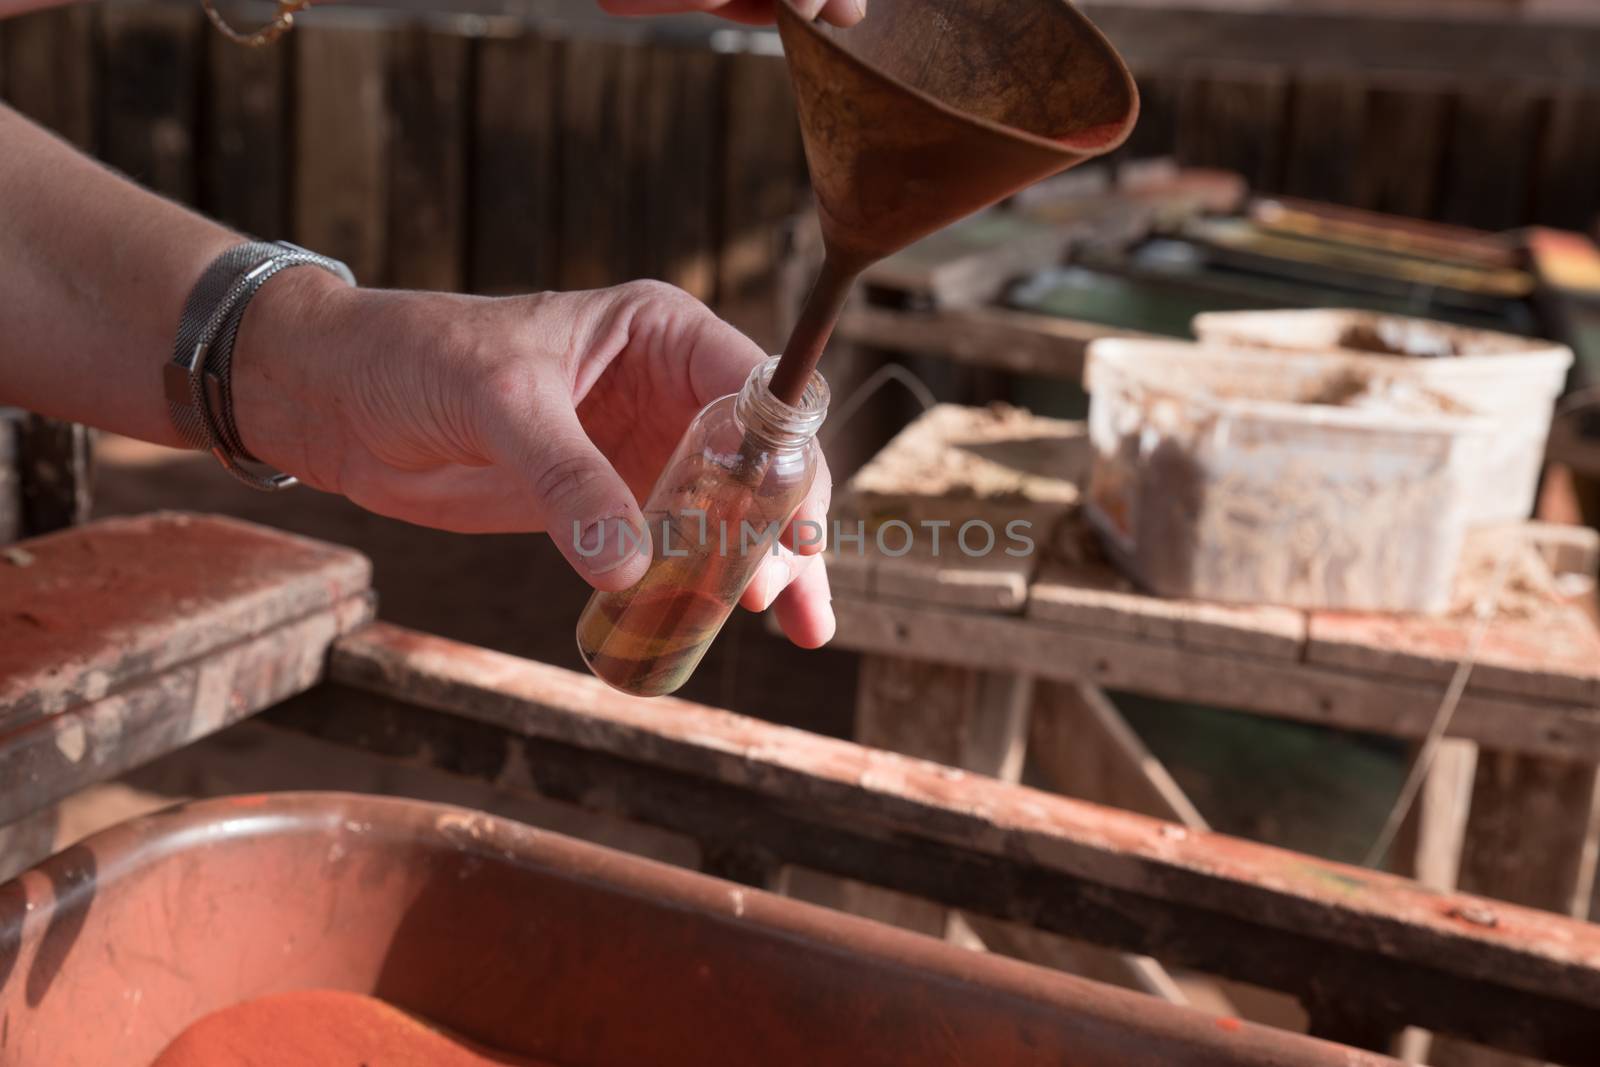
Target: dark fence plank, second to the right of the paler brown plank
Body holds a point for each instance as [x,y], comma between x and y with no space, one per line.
[516,236]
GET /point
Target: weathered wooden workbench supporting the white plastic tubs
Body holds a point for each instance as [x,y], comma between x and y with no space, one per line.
[982,663]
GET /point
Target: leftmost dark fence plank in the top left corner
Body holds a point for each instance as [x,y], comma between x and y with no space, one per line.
[50,71]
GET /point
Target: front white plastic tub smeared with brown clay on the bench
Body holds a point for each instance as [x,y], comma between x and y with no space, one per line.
[1266,478]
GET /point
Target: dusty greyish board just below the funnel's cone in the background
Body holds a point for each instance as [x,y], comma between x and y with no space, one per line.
[974,260]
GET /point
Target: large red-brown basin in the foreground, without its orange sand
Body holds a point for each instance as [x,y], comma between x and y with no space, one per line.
[534,945]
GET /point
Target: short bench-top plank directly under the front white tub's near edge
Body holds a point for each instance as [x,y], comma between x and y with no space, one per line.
[1095,596]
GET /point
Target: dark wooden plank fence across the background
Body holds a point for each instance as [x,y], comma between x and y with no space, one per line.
[494,156]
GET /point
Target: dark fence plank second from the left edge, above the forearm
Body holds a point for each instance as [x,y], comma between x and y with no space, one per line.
[151,100]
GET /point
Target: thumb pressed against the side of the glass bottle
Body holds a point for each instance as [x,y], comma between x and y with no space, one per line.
[580,498]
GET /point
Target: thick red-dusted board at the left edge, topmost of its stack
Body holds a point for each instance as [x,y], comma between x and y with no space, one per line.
[87,609]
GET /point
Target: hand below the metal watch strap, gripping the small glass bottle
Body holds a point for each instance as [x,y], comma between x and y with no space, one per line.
[537,414]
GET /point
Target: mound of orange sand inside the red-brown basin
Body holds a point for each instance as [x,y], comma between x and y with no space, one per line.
[322,1029]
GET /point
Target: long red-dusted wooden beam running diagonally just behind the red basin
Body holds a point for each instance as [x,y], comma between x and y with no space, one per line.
[1401,953]
